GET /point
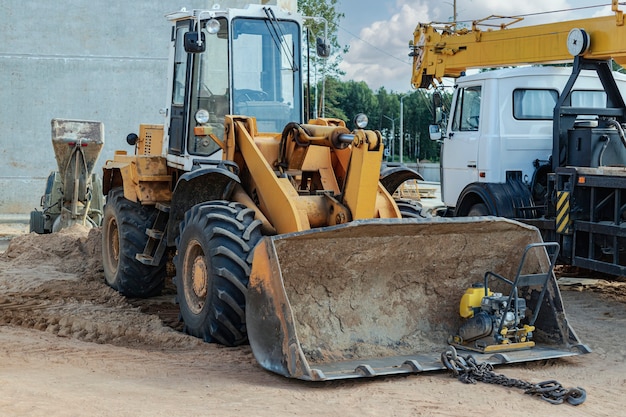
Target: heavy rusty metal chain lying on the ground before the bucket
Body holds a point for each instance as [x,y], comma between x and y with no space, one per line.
[468,371]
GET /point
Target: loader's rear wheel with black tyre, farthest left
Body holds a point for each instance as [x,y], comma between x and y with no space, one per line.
[123,236]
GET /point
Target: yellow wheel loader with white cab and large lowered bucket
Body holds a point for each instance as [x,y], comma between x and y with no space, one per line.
[281,232]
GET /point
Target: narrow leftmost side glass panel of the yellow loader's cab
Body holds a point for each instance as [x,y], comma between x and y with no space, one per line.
[178,109]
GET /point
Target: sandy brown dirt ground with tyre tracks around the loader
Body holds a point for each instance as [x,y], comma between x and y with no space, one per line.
[70,346]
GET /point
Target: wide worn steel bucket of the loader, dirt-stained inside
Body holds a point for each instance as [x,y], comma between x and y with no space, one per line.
[381,297]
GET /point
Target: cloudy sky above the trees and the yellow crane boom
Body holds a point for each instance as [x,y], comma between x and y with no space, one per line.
[378,31]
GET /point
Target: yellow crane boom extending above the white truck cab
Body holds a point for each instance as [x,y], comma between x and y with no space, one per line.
[447,52]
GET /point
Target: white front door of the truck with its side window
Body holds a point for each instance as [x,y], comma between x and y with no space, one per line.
[459,158]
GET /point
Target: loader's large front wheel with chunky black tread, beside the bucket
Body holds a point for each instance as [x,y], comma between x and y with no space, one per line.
[213,265]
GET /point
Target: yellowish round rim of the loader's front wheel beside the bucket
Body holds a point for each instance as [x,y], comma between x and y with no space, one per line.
[195,277]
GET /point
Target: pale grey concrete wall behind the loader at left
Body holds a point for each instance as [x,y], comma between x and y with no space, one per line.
[75,59]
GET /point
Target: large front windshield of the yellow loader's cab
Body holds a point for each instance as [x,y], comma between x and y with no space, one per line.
[266,75]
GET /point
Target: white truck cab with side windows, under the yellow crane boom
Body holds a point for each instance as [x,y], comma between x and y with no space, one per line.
[497,148]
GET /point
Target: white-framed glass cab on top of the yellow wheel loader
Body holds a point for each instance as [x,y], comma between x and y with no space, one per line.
[237,61]
